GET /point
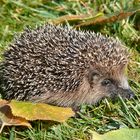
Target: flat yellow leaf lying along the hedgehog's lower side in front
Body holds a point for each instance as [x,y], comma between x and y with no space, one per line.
[40,111]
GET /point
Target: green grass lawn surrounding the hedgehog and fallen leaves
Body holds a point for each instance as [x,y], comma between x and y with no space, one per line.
[16,15]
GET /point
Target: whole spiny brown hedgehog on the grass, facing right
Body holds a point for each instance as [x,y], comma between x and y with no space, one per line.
[64,67]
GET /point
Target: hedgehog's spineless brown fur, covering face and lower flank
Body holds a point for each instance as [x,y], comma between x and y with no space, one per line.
[92,89]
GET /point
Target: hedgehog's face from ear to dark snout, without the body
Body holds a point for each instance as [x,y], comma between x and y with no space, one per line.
[108,85]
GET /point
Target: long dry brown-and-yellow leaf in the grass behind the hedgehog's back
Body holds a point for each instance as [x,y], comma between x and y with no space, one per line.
[93,19]
